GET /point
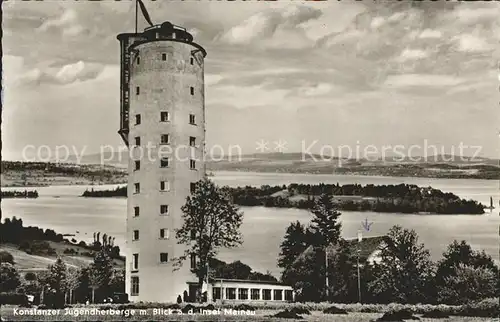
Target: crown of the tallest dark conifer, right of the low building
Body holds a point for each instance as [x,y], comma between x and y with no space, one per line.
[325,224]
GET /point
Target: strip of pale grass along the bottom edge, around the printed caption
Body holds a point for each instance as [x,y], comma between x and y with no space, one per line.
[7,313]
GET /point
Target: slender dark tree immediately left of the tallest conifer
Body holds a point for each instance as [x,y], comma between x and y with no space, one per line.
[294,243]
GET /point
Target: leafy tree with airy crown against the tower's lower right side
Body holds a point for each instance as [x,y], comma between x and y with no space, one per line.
[210,221]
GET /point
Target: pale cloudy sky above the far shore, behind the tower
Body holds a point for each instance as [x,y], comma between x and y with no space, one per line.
[307,74]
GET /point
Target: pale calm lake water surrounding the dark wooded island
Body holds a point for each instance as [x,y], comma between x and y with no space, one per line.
[263,228]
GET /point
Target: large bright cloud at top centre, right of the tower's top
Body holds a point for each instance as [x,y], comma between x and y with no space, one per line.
[273,28]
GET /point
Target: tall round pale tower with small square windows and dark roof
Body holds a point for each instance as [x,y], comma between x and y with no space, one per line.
[163,123]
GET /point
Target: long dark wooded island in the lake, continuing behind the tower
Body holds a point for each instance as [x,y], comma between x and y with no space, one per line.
[402,198]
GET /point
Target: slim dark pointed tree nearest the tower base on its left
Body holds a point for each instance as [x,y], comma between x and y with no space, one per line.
[101,272]
